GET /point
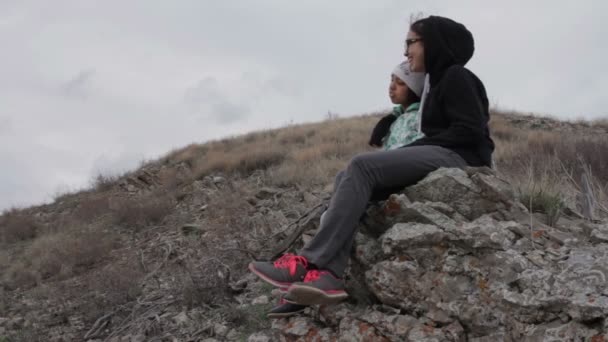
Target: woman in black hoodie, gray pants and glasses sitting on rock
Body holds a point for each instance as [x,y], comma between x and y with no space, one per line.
[454,121]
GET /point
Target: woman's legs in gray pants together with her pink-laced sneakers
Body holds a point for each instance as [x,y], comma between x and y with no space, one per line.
[329,250]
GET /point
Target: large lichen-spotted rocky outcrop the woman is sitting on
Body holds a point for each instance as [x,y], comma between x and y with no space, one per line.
[457,258]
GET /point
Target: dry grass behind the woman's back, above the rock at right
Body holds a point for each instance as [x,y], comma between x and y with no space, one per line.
[545,162]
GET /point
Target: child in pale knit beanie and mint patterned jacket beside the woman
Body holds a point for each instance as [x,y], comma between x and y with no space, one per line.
[404,91]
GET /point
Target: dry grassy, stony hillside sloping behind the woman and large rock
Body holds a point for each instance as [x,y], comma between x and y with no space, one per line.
[160,253]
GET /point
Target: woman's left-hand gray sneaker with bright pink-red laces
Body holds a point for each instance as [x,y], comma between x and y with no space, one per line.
[283,272]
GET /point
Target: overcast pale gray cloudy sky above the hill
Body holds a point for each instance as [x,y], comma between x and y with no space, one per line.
[98,86]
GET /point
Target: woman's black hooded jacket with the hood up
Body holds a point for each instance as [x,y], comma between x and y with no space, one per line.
[455,113]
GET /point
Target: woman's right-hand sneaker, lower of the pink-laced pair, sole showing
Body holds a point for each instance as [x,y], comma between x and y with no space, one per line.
[319,287]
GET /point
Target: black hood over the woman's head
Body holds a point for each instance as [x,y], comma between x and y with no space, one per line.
[446,43]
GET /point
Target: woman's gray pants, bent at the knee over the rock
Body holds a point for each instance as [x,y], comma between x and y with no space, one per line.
[366,174]
